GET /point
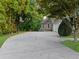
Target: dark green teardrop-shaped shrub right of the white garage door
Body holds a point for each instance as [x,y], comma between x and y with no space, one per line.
[65,28]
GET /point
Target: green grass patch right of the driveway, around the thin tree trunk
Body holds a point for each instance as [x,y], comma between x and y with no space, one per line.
[71,44]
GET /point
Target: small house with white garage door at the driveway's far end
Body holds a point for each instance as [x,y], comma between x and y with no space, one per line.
[50,24]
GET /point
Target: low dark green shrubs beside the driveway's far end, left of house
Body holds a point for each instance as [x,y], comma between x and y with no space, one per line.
[32,25]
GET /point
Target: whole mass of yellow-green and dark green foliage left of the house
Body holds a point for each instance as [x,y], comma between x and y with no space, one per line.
[12,10]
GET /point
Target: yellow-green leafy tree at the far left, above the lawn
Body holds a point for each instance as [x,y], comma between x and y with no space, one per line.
[11,10]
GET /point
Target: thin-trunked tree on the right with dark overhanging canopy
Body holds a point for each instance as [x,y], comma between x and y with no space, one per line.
[61,8]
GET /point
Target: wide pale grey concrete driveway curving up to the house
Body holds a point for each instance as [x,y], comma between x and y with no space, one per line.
[36,45]
